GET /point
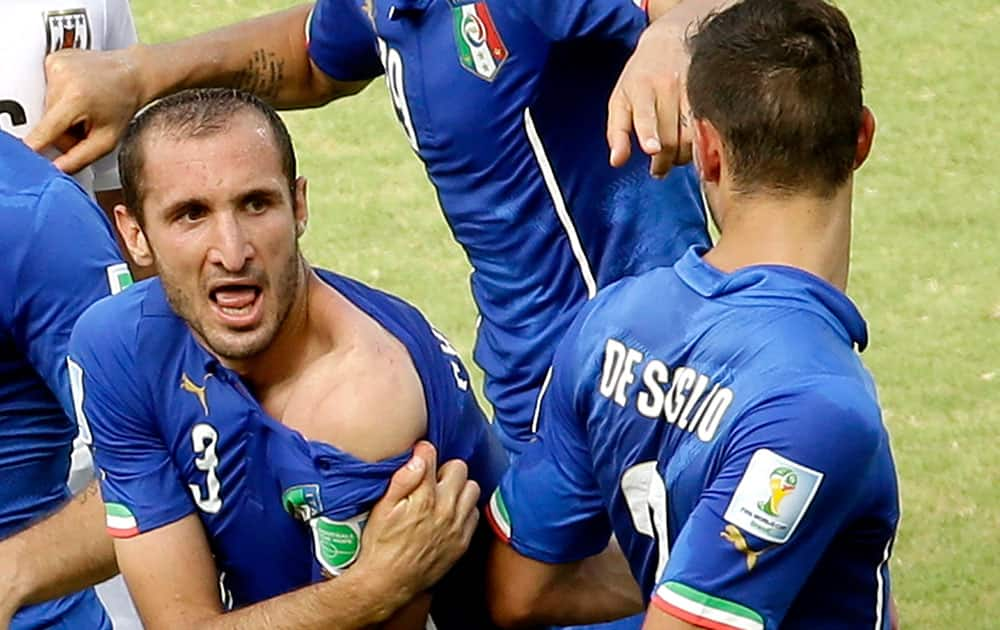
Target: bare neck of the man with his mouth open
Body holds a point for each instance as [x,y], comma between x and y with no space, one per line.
[296,345]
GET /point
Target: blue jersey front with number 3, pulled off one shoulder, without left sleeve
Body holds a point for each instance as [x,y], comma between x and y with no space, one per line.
[282,511]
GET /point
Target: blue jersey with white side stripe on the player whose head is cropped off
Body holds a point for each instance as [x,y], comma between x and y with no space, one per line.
[506,103]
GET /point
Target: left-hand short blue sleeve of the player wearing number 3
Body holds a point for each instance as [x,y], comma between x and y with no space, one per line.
[141,487]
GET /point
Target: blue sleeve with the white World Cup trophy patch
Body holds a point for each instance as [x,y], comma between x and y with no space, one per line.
[789,480]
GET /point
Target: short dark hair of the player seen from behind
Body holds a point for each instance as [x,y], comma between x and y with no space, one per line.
[781,81]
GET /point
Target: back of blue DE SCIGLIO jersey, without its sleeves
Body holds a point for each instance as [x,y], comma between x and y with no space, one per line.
[667,398]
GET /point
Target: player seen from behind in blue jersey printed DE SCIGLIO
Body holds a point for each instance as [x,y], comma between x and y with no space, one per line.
[715,415]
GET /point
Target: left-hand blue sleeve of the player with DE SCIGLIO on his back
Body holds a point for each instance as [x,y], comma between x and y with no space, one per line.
[548,506]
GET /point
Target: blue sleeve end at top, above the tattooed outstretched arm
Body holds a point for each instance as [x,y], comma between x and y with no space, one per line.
[342,40]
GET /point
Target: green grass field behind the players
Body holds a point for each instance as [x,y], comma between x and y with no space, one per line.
[925,270]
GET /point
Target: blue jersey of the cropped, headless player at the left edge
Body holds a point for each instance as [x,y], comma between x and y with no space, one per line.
[59,258]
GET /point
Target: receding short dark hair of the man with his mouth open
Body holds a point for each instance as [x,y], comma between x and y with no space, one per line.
[194,113]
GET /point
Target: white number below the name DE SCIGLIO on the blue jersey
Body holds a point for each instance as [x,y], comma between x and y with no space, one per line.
[646,496]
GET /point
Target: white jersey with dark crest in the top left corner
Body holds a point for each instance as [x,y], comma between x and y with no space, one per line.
[29,31]
